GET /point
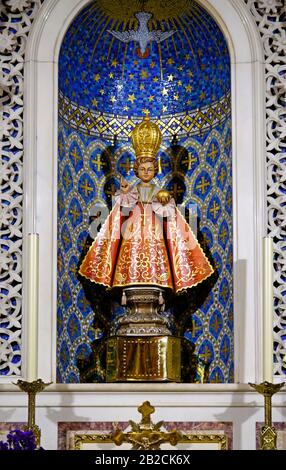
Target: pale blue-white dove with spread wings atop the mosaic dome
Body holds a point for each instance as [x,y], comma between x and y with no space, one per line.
[142,34]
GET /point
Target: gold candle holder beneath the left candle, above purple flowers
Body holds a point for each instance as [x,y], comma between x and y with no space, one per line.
[32,388]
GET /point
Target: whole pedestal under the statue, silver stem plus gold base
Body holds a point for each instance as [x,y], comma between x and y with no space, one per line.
[143,349]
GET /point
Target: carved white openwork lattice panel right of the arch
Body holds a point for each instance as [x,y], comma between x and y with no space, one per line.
[270,17]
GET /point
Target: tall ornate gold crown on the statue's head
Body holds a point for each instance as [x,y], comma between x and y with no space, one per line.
[146,139]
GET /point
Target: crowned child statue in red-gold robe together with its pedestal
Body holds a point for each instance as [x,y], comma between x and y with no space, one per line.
[146,248]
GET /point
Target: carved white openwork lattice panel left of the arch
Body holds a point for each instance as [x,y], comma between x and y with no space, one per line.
[16,18]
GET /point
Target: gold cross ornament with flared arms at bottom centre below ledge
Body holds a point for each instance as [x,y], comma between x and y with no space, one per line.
[146,435]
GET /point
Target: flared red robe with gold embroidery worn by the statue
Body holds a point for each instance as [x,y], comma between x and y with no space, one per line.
[142,248]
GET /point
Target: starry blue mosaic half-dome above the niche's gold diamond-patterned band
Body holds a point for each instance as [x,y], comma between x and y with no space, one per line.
[179,73]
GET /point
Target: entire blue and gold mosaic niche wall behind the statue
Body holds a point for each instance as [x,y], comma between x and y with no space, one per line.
[105,88]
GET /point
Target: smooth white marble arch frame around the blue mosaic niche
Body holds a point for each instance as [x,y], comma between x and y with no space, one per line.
[40,176]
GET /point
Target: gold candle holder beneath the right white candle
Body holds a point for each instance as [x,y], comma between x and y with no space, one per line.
[268,434]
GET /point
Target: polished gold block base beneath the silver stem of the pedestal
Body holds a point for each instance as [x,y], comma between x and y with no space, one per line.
[143,359]
